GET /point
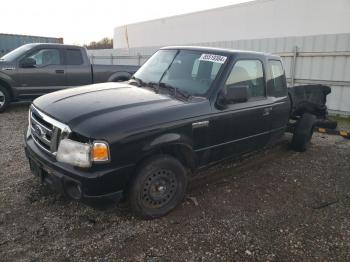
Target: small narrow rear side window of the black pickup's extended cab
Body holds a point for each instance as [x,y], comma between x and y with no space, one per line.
[277,84]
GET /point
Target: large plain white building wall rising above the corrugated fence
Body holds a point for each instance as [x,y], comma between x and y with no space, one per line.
[251,20]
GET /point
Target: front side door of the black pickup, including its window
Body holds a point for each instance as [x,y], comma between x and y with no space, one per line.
[242,126]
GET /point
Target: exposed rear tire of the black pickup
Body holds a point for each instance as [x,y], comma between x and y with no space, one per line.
[303,132]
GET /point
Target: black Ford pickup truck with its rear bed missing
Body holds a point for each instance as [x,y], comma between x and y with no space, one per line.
[184,109]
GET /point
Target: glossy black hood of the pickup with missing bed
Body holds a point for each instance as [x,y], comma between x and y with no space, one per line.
[97,110]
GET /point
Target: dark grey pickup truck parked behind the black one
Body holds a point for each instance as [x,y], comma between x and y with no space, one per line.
[36,69]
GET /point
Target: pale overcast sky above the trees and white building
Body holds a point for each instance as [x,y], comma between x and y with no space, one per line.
[83,21]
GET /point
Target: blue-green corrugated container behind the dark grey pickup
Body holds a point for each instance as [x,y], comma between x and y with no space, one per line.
[9,42]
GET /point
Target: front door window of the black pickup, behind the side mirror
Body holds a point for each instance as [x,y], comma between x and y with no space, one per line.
[248,73]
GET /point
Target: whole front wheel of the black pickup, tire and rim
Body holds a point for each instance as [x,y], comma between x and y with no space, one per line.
[158,187]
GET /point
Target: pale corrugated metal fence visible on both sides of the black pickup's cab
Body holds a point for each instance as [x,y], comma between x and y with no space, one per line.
[317,67]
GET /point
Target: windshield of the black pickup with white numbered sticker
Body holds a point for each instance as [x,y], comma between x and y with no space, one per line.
[185,70]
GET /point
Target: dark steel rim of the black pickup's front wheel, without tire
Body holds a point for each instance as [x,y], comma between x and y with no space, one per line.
[159,188]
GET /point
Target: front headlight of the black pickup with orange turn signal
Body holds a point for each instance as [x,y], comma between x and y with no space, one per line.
[82,154]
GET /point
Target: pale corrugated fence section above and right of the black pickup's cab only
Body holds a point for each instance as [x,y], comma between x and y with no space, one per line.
[322,59]
